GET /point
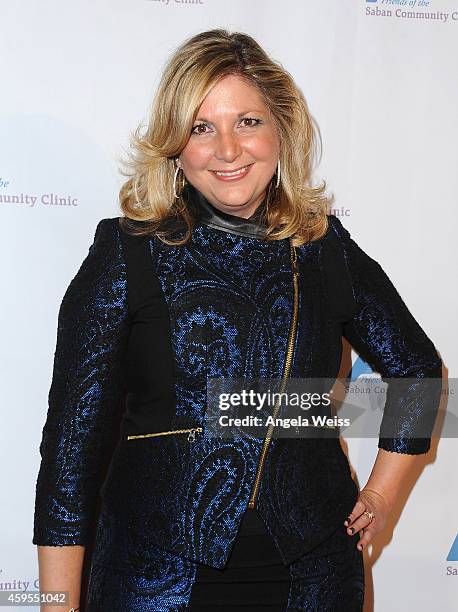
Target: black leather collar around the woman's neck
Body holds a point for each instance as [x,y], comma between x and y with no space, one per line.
[207,214]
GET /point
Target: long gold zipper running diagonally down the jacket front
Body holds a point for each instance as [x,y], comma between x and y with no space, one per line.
[287,367]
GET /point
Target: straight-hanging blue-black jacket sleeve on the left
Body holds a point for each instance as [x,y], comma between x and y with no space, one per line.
[83,400]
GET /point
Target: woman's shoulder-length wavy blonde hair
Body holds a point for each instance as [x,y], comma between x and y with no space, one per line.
[295,208]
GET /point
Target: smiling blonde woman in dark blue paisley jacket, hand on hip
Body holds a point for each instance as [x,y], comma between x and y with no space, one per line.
[224,265]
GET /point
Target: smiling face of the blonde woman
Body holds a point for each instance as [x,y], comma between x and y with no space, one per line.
[233,130]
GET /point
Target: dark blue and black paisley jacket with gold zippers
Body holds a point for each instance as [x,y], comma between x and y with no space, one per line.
[225,304]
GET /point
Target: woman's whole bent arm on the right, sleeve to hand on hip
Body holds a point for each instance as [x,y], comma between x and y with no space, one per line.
[386,335]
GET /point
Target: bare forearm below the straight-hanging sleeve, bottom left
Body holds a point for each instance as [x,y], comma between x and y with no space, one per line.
[60,569]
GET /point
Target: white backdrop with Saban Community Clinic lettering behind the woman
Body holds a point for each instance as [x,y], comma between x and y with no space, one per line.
[380,79]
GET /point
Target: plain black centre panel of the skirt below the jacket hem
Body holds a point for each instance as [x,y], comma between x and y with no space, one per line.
[254,578]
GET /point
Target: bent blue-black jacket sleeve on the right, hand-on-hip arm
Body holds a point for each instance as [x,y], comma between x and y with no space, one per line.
[386,335]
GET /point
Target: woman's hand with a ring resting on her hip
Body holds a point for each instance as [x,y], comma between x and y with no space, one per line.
[368,501]
